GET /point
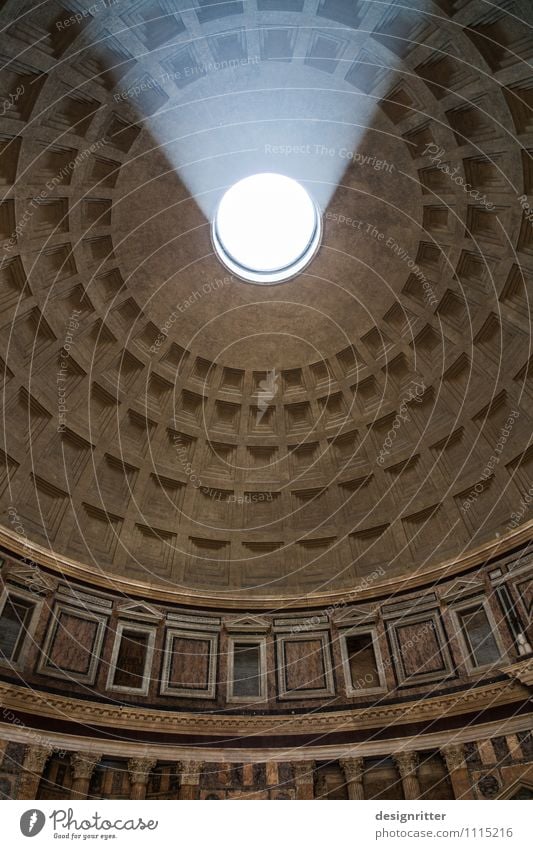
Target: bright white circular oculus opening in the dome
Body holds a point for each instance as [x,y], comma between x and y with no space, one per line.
[266,228]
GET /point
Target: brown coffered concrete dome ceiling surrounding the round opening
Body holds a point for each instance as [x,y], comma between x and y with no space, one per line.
[168,423]
